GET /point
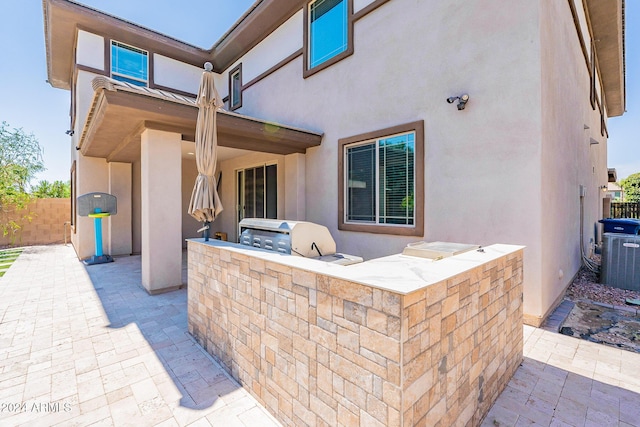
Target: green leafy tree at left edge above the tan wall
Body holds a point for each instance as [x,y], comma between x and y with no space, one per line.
[20,160]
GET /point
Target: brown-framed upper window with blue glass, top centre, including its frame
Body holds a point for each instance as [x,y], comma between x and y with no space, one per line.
[328,32]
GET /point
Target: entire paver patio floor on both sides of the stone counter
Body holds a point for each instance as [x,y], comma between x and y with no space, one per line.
[88,346]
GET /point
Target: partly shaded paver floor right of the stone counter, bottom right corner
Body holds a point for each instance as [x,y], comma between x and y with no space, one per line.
[569,382]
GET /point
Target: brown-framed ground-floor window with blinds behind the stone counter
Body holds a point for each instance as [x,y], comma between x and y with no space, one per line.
[382,180]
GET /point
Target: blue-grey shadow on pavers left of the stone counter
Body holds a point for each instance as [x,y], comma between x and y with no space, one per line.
[162,321]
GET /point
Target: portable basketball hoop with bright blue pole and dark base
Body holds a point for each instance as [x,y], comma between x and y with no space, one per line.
[97,206]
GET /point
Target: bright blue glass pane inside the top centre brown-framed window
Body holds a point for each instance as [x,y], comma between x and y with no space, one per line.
[327,30]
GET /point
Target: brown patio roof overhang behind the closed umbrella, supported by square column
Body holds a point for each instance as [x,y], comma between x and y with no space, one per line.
[121,112]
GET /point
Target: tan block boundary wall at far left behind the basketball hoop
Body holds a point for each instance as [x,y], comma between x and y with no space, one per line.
[47,225]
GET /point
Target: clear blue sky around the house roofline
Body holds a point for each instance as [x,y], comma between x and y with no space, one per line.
[28,102]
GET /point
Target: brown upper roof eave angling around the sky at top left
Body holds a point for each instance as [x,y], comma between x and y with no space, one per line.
[63,18]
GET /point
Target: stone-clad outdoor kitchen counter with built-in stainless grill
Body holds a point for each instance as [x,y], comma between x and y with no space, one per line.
[428,336]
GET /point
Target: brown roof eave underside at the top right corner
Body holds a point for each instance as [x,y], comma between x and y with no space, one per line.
[608,26]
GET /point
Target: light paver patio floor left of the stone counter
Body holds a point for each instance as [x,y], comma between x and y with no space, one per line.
[83,346]
